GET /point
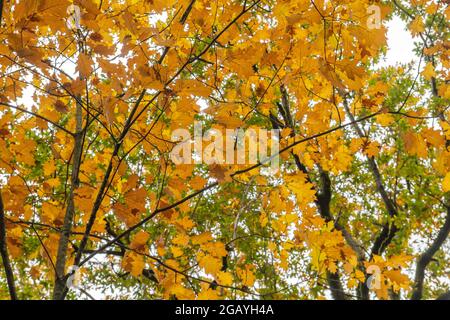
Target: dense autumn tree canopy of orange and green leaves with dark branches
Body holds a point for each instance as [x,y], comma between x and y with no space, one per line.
[91,92]
